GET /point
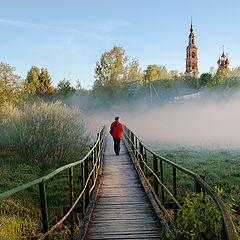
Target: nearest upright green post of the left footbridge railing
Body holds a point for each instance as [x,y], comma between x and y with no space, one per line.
[43,203]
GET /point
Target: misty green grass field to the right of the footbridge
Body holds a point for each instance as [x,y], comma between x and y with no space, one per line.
[221,168]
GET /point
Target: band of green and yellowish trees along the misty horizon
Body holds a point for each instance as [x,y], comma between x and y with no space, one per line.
[117,81]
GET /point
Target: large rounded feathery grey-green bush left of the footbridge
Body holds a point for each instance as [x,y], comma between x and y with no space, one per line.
[47,133]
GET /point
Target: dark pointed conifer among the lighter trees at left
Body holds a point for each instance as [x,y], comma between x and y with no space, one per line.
[44,83]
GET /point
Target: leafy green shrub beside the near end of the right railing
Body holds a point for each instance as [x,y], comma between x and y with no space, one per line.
[199,218]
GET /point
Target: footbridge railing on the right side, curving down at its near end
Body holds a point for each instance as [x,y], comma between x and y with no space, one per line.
[142,155]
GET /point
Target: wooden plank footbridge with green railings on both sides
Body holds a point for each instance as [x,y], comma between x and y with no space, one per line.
[120,197]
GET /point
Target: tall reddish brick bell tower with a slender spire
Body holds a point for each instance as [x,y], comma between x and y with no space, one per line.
[191,59]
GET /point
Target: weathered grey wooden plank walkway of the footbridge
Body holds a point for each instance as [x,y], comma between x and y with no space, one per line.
[122,210]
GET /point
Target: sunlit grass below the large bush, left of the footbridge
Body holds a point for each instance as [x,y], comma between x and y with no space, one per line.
[20,215]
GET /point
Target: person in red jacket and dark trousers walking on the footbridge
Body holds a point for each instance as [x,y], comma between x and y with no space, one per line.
[117,129]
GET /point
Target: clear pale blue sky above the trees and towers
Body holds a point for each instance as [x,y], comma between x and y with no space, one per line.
[68,37]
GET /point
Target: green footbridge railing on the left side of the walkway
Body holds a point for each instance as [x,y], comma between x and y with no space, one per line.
[89,169]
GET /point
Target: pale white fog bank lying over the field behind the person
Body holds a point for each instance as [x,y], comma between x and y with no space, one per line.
[207,124]
